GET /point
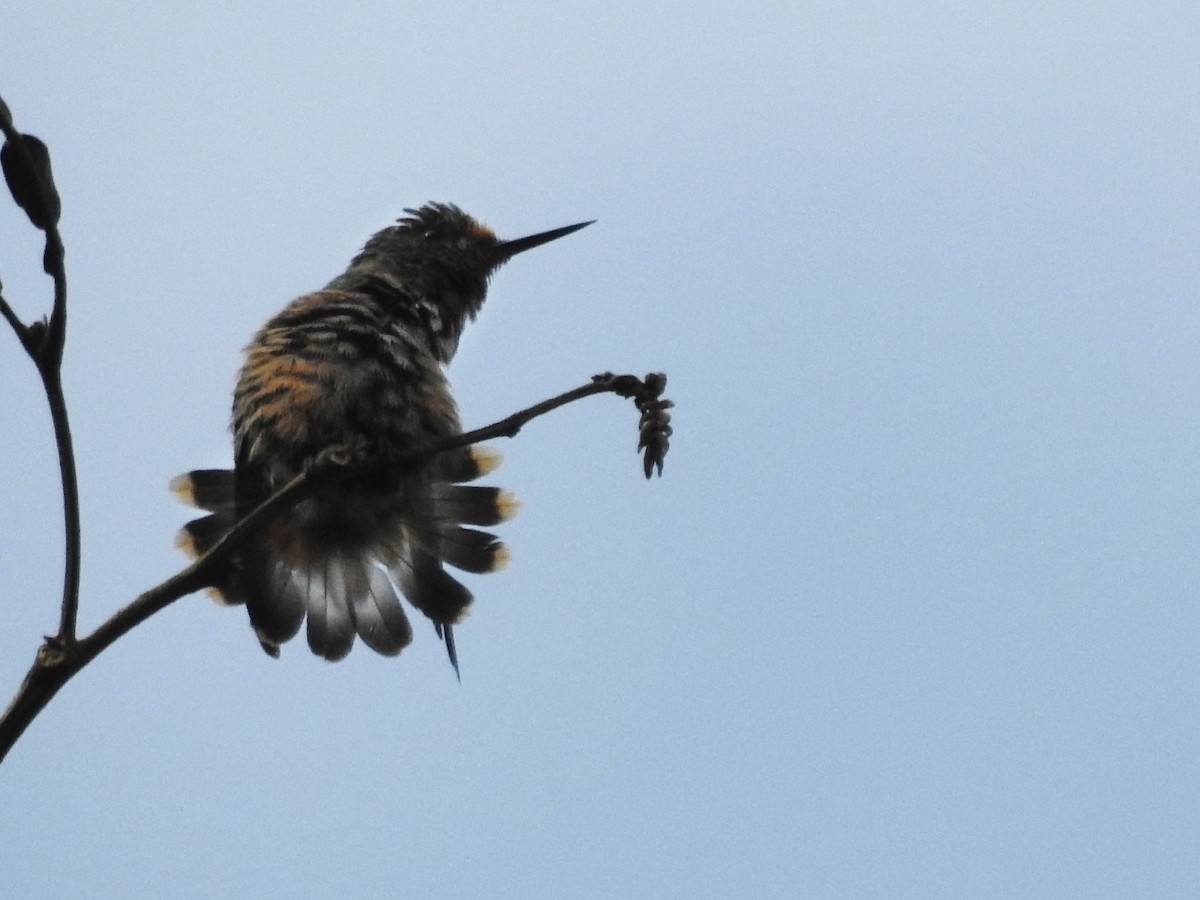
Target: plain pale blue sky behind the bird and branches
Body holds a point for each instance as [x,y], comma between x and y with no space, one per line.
[911,614]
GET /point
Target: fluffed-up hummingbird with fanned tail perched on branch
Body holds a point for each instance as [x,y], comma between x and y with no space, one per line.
[359,365]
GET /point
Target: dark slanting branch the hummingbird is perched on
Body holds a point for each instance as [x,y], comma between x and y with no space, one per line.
[58,662]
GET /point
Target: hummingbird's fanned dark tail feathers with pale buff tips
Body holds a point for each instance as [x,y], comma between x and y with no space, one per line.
[340,566]
